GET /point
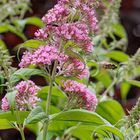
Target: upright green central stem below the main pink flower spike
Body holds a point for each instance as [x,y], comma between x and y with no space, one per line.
[52,78]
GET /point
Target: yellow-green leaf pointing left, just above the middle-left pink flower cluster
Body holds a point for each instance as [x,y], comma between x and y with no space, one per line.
[31,44]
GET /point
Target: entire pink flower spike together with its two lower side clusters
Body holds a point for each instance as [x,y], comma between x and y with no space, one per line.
[67,34]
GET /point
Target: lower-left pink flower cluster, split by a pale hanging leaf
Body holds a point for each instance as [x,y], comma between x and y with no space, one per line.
[25,98]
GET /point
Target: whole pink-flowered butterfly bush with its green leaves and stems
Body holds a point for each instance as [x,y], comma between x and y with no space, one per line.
[79,51]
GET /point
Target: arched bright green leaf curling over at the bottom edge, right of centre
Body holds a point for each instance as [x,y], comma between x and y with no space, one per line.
[111,129]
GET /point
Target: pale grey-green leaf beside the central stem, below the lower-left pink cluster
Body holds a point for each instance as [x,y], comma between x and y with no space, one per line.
[36,115]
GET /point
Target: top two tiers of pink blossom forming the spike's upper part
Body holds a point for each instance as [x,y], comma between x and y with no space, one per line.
[70,20]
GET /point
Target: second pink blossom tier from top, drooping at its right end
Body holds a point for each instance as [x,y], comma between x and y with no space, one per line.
[77,32]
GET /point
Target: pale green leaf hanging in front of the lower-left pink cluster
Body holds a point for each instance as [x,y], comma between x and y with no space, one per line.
[11,99]
